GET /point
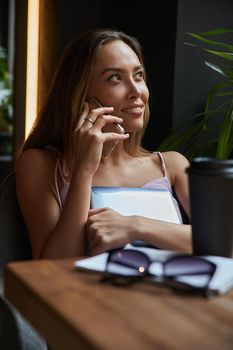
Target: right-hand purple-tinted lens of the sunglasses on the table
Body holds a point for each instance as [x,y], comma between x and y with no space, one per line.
[187,266]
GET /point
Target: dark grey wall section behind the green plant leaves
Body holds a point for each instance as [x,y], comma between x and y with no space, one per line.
[193,78]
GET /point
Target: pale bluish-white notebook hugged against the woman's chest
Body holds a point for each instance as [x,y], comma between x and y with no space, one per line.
[147,202]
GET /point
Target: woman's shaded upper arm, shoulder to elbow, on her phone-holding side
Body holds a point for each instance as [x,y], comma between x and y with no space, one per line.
[35,175]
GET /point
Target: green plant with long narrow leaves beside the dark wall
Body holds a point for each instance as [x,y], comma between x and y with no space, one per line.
[209,133]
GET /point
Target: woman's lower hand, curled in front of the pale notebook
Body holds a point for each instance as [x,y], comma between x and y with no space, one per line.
[107,229]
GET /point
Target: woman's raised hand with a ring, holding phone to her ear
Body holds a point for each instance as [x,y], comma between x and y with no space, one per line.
[89,138]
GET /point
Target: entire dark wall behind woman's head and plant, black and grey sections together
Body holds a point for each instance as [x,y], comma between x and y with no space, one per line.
[179,80]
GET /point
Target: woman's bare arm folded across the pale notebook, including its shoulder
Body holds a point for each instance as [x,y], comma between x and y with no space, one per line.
[108,229]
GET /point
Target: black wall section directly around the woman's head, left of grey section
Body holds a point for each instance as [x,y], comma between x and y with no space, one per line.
[154,24]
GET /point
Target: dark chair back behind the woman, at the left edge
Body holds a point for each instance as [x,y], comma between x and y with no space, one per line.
[14,239]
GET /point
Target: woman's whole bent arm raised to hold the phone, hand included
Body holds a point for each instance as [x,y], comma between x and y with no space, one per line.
[55,233]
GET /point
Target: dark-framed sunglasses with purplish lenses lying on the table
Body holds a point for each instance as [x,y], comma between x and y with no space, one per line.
[125,266]
